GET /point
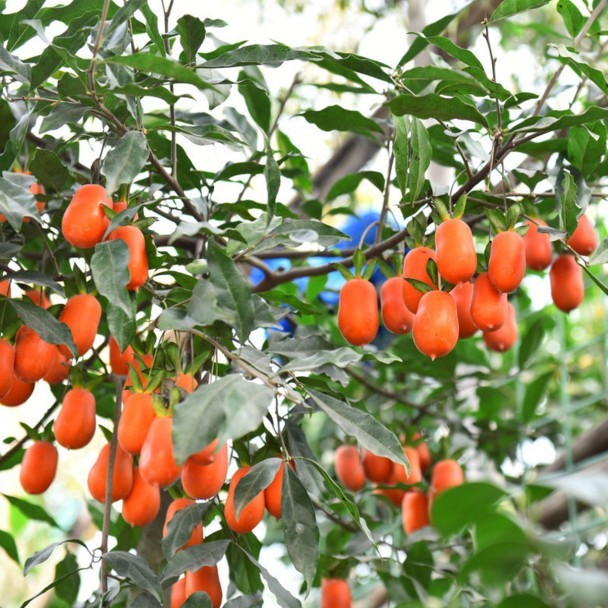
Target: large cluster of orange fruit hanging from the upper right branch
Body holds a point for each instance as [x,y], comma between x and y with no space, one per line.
[438,319]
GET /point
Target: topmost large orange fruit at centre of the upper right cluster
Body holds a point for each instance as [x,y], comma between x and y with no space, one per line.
[455,251]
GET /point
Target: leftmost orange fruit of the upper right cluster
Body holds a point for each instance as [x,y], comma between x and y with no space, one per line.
[358,317]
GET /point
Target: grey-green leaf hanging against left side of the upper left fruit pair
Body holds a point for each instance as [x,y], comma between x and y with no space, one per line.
[110,268]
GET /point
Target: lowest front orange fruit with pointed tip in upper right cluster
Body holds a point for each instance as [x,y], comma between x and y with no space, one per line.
[435,328]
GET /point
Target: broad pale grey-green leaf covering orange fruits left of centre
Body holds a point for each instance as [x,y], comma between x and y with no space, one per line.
[227,409]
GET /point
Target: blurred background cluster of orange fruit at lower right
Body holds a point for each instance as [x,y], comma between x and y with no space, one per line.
[353,470]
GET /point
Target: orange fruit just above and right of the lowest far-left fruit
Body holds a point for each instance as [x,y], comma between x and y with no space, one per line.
[75,424]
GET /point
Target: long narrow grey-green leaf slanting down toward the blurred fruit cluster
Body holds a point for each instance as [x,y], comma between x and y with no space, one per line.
[372,435]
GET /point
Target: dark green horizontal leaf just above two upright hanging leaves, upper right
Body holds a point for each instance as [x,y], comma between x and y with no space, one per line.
[435,106]
